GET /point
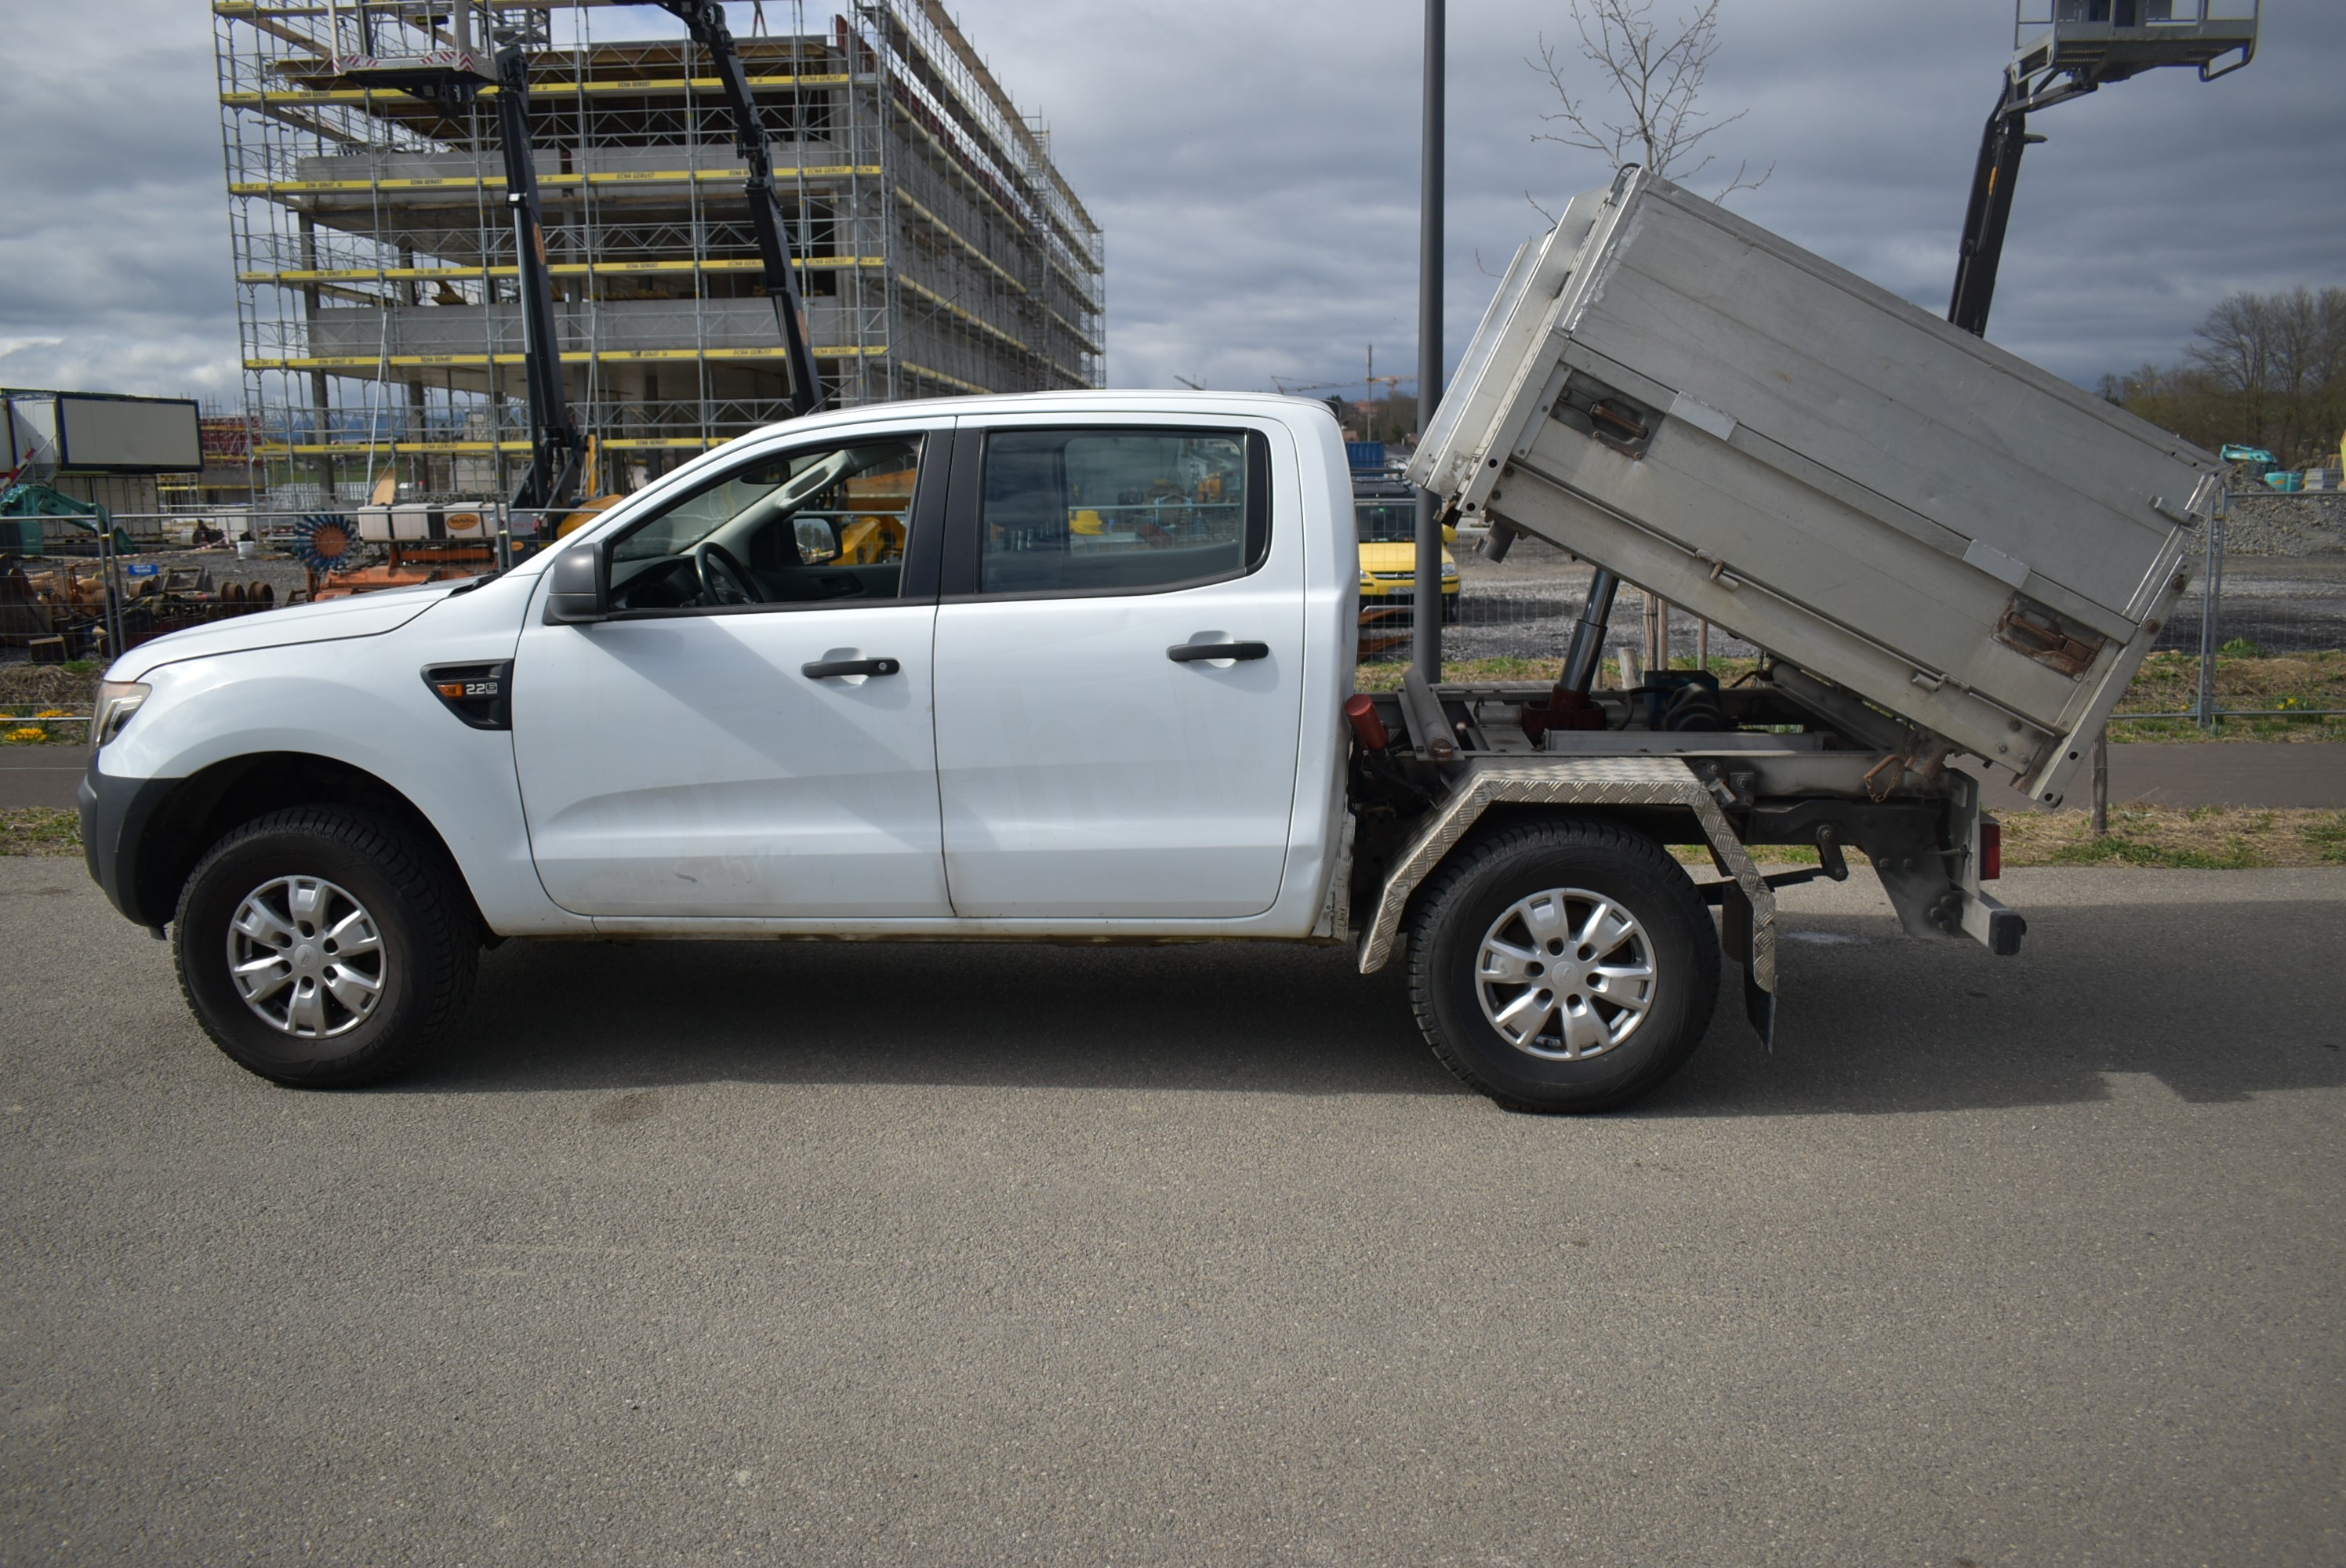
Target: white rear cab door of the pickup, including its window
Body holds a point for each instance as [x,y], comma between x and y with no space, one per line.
[1120,668]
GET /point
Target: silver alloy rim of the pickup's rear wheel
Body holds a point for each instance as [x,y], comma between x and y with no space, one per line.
[1566,975]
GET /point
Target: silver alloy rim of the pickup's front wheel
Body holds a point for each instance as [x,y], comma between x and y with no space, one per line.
[306,957]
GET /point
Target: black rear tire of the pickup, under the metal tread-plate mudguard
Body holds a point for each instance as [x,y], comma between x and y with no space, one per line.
[1484,886]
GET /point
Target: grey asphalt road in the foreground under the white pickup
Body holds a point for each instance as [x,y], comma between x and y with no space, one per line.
[982,1255]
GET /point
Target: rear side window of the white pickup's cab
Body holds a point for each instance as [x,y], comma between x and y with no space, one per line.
[1120,511]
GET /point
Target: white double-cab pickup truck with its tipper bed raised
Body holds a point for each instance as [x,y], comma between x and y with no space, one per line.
[1083,668]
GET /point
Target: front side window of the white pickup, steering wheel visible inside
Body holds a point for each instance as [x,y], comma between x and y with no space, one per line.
[806,527]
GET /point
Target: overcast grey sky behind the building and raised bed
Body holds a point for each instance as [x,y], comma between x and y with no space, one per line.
[1256,175]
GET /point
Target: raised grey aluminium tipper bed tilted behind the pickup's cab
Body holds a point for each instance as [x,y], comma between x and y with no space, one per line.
[1815,464]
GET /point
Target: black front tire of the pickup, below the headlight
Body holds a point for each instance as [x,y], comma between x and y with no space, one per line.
[421,924]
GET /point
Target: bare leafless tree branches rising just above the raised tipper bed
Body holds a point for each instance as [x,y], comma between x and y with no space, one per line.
[1657,79]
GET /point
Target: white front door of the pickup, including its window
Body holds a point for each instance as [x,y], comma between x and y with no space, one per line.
[752,729]
